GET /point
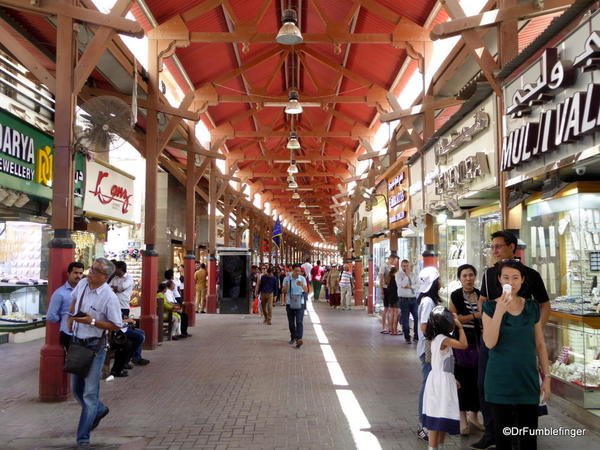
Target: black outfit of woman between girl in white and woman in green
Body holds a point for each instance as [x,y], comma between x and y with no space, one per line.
[465,361]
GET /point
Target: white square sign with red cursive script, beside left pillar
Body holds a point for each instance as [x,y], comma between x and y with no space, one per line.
[108,192]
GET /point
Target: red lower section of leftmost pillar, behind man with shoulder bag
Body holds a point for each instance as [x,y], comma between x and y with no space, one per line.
[54,382]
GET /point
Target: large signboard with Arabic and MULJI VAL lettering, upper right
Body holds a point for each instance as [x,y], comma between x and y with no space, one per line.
[553,107]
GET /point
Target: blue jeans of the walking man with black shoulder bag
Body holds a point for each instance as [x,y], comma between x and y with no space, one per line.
[86,391]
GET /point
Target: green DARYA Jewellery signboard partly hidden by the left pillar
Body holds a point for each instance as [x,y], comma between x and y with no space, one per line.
[26,158]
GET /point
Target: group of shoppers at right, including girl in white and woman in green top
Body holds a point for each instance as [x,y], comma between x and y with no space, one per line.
[486,352]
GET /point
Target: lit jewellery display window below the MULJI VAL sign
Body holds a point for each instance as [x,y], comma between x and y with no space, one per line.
[563,245]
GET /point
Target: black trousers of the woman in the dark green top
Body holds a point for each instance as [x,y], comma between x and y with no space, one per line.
[519,417]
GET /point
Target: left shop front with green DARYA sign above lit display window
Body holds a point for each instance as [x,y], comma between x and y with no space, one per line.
[25,193]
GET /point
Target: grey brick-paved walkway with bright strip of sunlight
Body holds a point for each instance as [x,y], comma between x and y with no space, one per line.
[238,384]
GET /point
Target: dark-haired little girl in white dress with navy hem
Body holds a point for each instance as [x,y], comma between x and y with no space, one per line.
[441,412]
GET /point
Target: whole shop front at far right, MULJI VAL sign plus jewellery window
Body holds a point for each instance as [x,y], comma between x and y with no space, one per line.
[551,156]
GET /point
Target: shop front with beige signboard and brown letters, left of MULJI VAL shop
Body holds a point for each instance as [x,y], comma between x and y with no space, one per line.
[461,189]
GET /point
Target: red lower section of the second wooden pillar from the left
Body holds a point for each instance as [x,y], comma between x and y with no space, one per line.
[148,318]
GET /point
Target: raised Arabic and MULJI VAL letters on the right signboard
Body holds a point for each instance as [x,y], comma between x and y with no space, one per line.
[555,123]
